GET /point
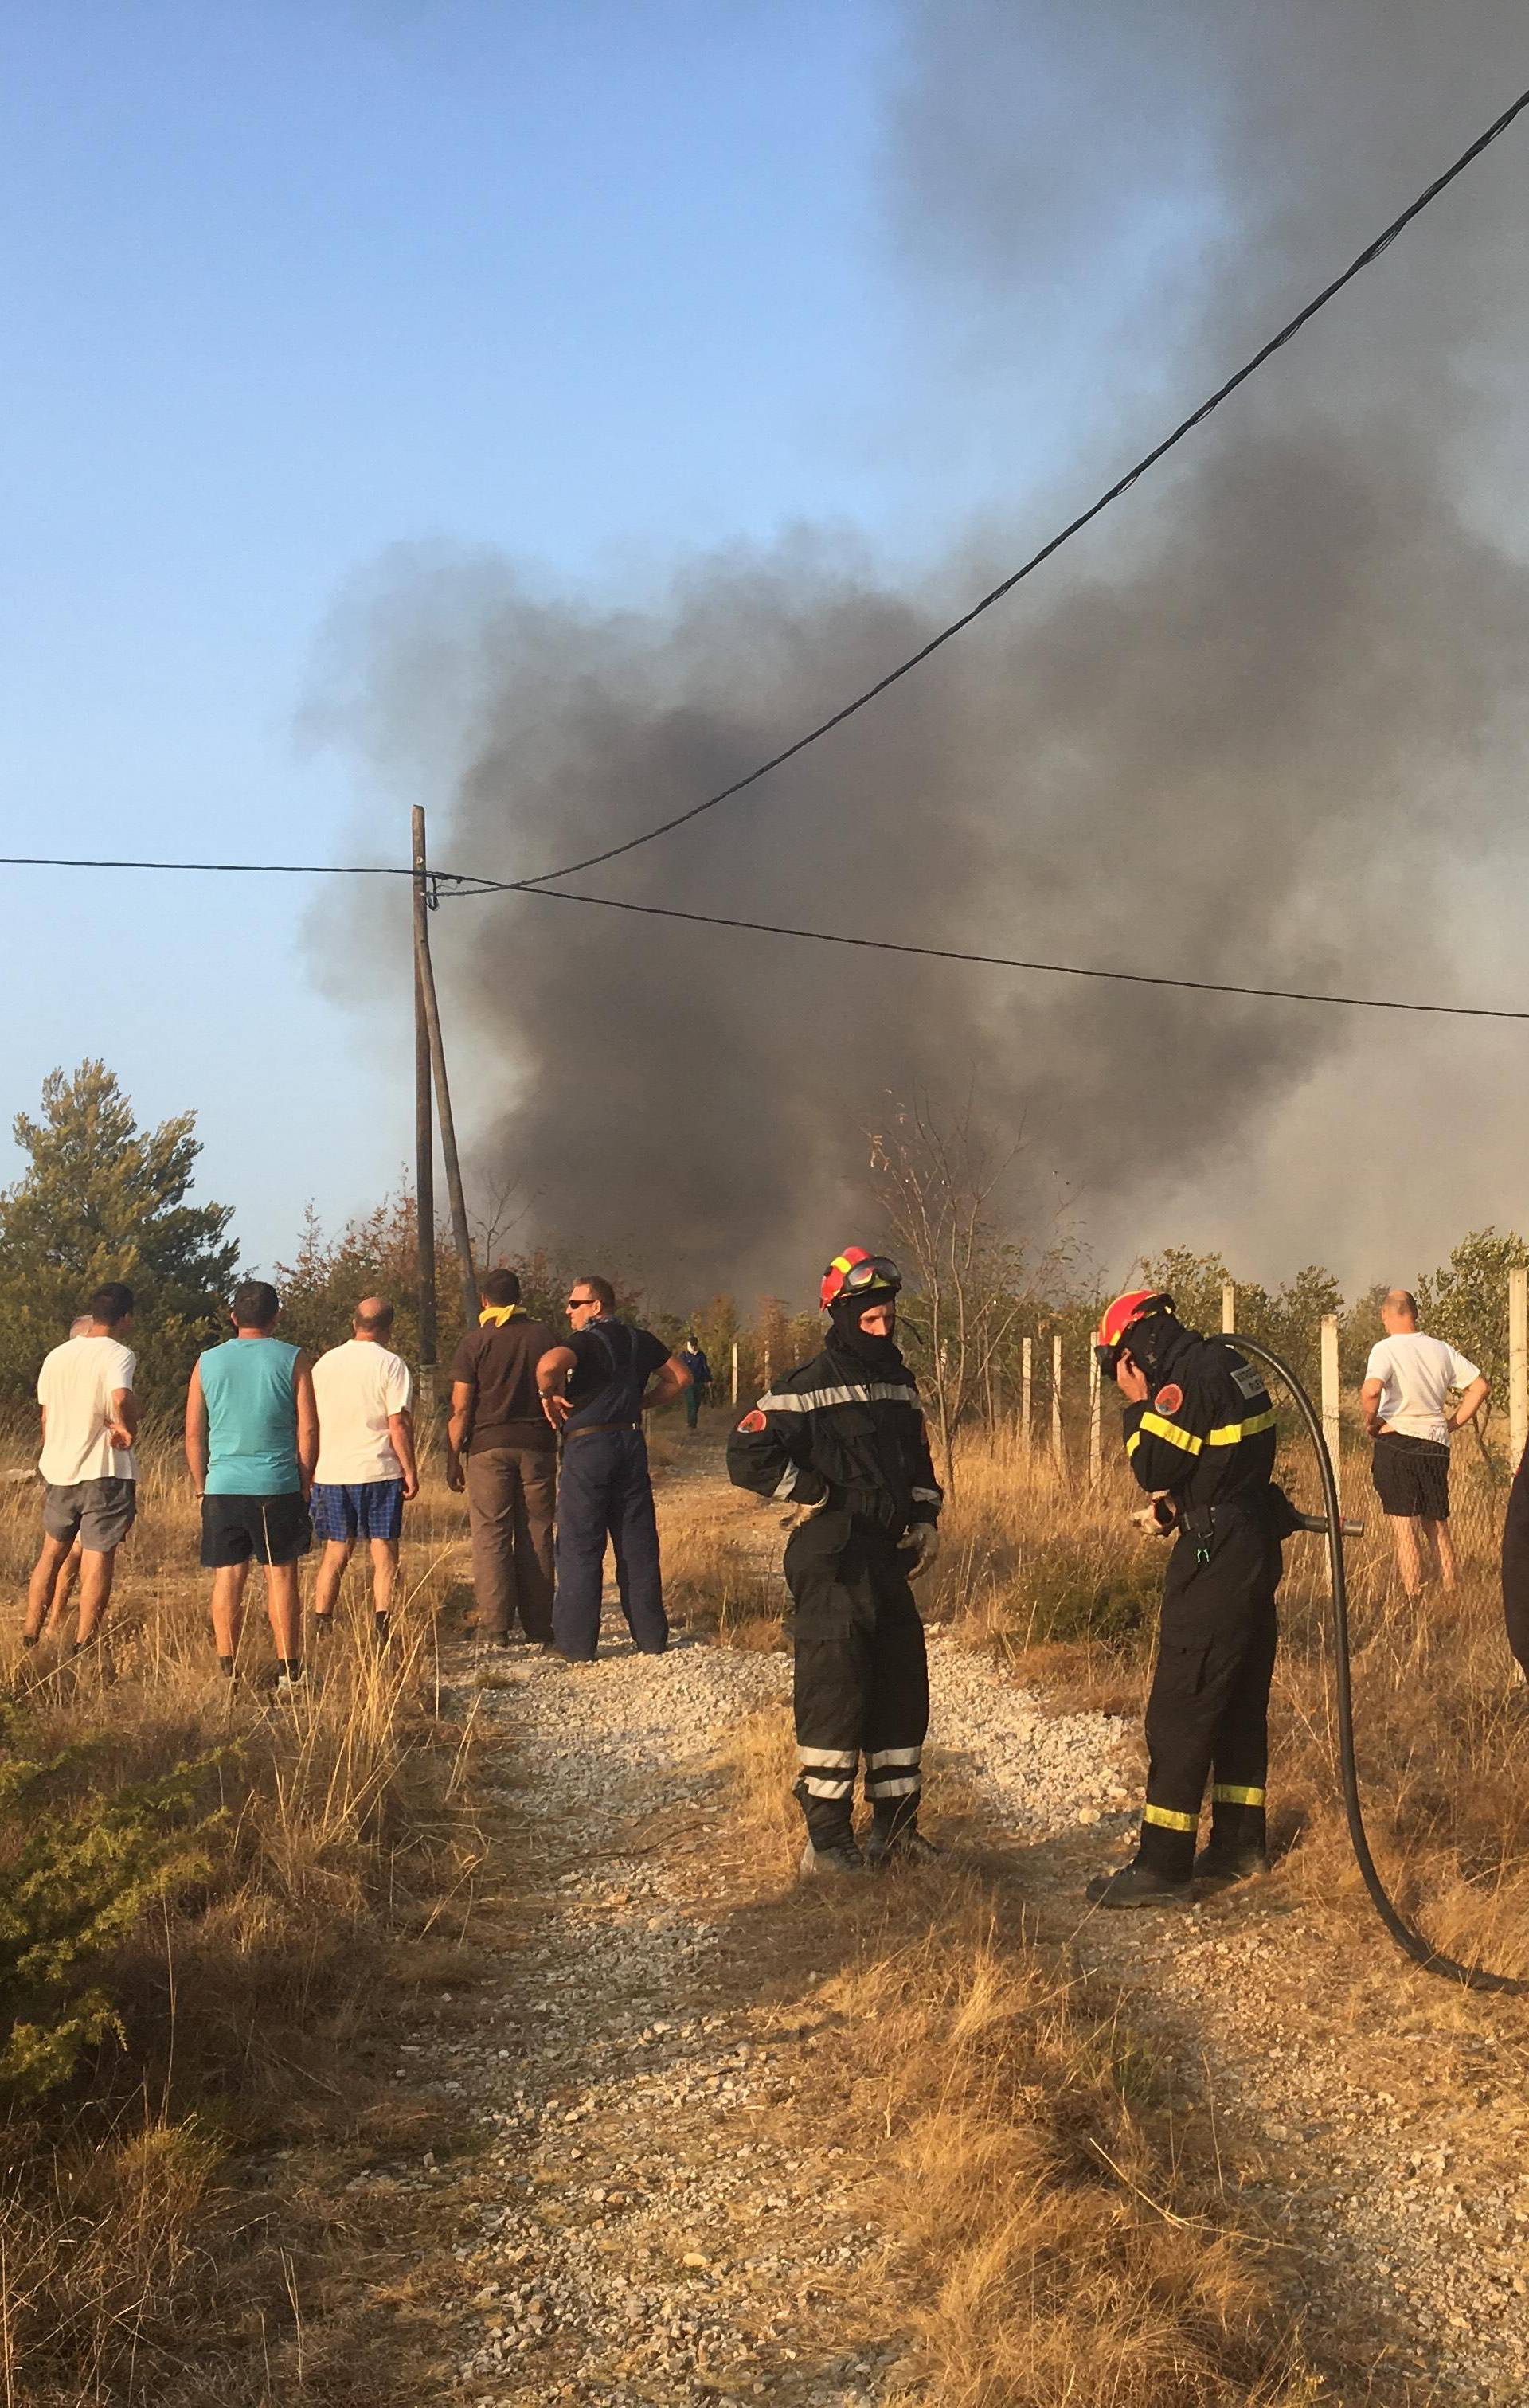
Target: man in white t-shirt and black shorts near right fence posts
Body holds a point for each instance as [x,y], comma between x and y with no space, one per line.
[1410,1381]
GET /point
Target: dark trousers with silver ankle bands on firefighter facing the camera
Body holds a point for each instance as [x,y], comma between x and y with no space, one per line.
[863,1677]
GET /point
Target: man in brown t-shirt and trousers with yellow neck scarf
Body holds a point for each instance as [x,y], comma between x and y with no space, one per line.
[497,1422]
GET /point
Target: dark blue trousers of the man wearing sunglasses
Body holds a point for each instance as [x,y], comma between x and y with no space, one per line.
[606,1492]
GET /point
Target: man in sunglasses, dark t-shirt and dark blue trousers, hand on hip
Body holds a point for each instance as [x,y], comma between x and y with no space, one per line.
[596,1393]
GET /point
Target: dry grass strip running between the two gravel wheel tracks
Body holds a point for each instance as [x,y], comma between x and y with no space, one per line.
[1058,2221]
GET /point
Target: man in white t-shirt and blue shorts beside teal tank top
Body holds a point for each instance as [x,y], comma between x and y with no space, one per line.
[365,1460]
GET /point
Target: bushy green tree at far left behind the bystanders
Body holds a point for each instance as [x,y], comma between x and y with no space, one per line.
[110,1200]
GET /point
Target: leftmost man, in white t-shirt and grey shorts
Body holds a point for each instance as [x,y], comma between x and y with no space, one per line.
[90,1422]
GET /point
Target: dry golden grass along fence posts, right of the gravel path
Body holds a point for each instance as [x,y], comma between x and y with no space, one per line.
[1053,1576]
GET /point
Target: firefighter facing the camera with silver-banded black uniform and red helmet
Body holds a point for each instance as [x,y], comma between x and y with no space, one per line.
[846,1439]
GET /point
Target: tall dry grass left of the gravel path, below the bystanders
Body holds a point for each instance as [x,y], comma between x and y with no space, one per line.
[141,2260]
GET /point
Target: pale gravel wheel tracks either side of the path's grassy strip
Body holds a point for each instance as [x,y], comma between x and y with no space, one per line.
[642,2212]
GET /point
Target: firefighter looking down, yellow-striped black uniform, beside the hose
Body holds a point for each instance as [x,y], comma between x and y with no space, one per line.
[1200,1436]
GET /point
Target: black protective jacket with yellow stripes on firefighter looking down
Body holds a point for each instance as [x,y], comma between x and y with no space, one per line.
[1208,1429]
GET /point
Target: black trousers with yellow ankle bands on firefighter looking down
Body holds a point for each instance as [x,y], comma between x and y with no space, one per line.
[1208,1716]
